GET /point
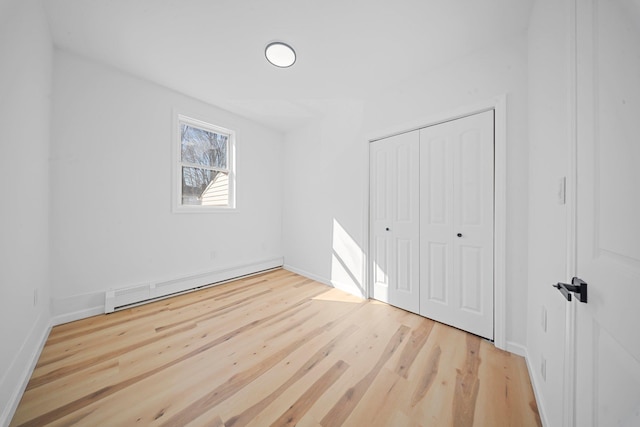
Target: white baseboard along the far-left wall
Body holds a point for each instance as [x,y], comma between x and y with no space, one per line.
[19,373]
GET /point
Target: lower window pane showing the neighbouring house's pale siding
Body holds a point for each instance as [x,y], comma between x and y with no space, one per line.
[203,187]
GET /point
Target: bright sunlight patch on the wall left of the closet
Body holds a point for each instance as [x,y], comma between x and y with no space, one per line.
[347,262]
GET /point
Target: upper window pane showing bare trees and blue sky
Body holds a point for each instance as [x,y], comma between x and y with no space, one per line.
[203,147]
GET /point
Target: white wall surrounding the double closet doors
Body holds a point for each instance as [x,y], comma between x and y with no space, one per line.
[327,161]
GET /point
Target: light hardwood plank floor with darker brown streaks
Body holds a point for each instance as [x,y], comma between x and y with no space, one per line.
[273,349]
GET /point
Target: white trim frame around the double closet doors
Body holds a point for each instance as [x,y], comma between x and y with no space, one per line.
[499,105]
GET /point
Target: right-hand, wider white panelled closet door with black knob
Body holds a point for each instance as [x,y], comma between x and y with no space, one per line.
[456,223]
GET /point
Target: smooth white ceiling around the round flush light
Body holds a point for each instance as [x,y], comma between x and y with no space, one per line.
[213,50]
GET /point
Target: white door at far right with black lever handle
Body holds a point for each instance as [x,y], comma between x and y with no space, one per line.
[607,348]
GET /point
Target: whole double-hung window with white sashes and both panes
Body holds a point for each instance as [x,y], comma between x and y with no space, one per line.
[205,167]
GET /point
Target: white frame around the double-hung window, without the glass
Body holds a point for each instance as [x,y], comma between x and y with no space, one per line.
[177,205]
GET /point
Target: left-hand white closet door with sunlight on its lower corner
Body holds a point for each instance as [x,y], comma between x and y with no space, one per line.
[395,220]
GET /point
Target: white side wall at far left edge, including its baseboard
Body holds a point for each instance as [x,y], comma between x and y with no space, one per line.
[25,89]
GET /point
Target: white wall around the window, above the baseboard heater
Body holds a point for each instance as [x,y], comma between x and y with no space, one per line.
[112,178]
